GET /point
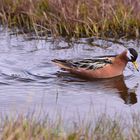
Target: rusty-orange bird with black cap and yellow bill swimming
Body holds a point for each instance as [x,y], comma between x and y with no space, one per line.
[107,66]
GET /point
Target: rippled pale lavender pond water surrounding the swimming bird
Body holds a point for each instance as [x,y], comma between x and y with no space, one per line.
[29,81]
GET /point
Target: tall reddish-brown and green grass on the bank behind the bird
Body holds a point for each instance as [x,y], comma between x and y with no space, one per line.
[73,18]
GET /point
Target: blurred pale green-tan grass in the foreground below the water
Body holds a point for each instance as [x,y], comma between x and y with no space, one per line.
[105,128]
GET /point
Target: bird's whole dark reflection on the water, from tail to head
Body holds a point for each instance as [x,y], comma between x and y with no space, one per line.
[117,83]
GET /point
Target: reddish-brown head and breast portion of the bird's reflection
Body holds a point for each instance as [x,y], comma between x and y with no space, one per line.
[128,95]
